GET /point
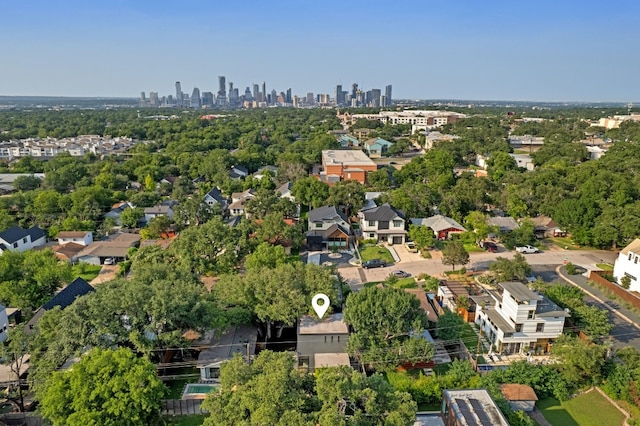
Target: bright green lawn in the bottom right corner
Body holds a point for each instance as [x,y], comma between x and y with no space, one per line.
[588,409]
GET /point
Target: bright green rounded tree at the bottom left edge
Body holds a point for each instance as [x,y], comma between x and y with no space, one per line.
[105,387]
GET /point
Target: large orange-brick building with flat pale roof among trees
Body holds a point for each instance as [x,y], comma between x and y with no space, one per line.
[345,165]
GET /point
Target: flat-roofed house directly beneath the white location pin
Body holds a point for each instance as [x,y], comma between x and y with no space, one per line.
[322,343]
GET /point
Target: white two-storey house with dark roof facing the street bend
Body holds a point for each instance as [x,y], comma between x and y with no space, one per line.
[383,224]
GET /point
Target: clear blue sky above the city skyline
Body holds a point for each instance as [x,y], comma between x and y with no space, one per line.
[521,50]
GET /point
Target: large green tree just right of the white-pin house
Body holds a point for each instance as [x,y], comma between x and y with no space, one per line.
[388,326]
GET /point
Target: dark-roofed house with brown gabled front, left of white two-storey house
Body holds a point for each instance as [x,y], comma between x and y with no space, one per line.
[328,229]
